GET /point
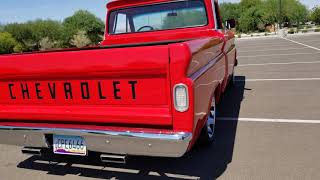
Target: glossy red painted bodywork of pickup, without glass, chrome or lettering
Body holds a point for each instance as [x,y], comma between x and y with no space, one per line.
[155,68]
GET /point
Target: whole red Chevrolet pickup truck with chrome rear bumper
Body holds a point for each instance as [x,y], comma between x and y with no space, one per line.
[149,89]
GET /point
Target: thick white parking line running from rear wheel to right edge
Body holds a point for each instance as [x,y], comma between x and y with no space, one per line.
[302,121]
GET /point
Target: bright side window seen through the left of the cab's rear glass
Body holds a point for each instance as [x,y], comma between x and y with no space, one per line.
[121,24]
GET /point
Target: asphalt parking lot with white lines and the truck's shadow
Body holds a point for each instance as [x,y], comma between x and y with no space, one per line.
[268,127]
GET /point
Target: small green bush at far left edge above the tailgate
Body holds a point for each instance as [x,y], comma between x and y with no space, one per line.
[7,43]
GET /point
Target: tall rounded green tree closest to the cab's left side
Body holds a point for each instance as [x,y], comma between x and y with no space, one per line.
[83,21]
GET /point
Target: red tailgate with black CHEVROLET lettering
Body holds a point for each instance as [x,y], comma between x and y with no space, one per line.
[118,85]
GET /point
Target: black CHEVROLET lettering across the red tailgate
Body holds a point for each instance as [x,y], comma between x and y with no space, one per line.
[48,90]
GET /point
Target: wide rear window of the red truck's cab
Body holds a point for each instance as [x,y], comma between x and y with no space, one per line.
[164,16]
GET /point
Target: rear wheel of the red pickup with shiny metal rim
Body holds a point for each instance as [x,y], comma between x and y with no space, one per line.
[208,132]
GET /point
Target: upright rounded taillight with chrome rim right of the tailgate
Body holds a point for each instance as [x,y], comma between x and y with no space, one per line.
[181,97]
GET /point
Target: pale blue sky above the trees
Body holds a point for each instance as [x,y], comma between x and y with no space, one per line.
[24,10]
